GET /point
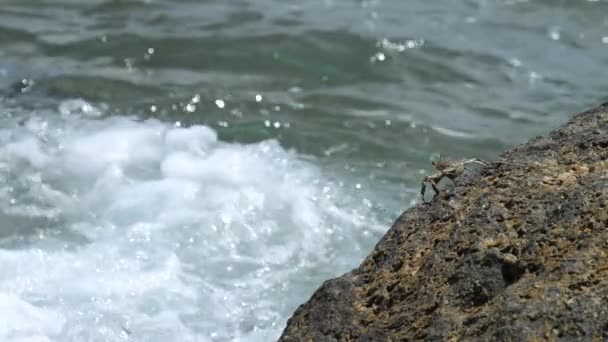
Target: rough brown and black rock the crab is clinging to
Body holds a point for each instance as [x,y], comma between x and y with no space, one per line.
[514,252]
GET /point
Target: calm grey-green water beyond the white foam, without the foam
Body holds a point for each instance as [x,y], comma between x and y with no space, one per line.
[471,78]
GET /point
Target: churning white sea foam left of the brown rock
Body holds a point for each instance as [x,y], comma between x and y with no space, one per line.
[123,230]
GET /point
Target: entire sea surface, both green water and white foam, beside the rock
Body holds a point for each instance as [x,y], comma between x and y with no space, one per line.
[193,170]
